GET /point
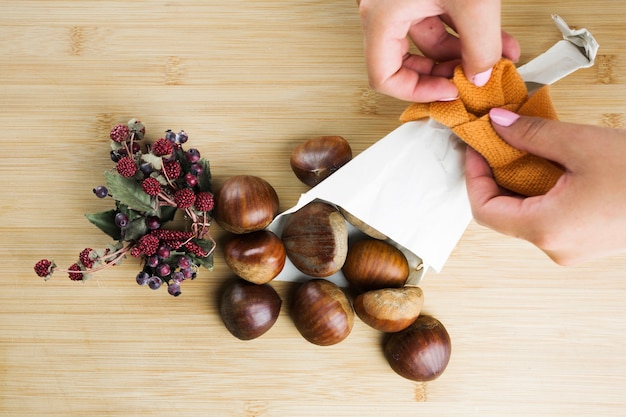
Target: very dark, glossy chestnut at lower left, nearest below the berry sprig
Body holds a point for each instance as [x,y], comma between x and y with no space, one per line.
[249,310]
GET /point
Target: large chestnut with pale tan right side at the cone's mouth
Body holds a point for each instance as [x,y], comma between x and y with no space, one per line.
[316,239]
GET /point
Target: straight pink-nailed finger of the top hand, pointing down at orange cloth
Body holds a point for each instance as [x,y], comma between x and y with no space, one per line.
[478,26]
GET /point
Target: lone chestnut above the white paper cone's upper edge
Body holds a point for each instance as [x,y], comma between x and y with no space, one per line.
[317,158]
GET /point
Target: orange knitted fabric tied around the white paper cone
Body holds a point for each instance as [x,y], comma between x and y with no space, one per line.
[468,117]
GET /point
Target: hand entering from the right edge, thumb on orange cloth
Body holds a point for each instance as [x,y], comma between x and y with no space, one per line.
[583,216]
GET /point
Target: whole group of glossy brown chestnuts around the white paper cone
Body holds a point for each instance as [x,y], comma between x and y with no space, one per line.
[315,239]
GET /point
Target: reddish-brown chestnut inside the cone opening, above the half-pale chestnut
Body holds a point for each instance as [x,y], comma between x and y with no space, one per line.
[372,264]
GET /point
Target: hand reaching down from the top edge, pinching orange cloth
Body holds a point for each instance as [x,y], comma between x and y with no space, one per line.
[394,71]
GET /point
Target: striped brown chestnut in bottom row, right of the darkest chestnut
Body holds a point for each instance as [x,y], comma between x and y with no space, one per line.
[322,312]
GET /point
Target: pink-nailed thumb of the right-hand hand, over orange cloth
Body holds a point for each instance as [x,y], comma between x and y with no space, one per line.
[550,139]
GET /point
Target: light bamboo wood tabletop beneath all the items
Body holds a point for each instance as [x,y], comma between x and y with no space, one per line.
[249,80]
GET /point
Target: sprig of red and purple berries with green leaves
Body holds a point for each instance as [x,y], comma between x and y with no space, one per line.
[149,186]
